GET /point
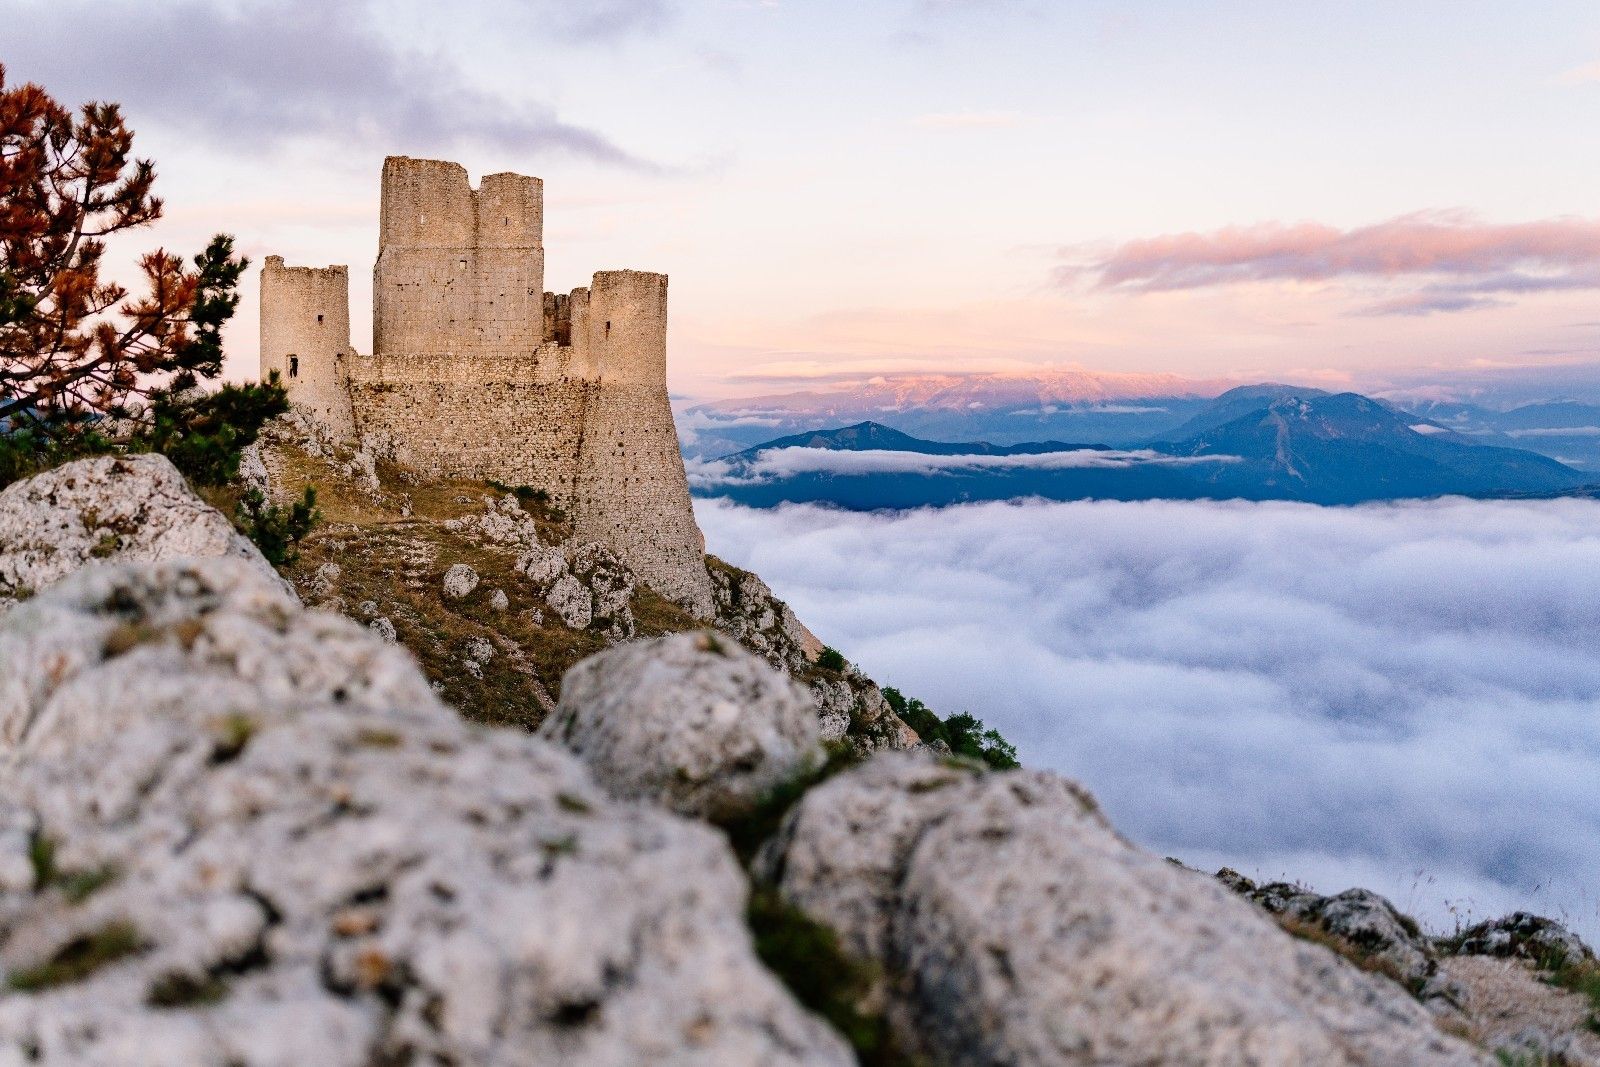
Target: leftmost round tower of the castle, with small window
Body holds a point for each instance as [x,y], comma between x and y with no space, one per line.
[306,338]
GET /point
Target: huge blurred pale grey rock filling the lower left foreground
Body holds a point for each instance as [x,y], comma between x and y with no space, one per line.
[236,834]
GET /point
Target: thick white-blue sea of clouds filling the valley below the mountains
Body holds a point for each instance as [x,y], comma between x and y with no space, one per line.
[1398,697]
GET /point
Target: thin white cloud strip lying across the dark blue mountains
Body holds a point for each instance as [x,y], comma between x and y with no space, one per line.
[788,463]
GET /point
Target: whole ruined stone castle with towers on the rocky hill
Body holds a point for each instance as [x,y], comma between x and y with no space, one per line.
[479,374]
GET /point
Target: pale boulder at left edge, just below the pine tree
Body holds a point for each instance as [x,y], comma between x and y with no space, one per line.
[105,510]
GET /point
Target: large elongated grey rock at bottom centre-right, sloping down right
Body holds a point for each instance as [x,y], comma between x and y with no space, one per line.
[1022,930]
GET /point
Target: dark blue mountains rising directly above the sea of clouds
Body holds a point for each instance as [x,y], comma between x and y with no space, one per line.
[1257,442]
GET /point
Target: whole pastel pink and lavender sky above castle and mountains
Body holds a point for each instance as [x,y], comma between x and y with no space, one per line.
[1356,193]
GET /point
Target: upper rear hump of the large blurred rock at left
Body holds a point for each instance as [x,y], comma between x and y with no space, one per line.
[170,636]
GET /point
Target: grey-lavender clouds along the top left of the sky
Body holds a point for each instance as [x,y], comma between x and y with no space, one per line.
[263,73]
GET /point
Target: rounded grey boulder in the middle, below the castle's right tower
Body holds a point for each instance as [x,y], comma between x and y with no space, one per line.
[690,721]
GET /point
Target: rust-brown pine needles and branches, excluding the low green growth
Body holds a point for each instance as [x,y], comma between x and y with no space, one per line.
[74,346]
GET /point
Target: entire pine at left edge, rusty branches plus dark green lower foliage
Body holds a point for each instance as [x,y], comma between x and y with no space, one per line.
[86,366]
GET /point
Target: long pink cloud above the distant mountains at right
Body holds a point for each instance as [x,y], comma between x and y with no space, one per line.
[1465,257]
